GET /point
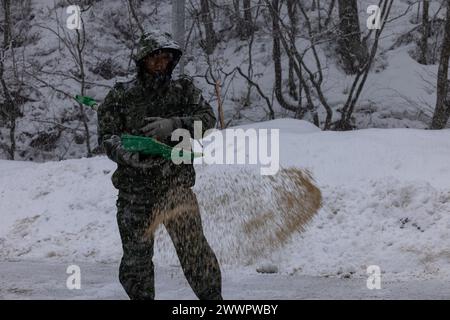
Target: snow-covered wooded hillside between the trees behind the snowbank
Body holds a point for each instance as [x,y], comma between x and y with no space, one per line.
[399,93]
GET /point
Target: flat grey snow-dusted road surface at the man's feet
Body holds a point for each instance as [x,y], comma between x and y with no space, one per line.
[45,280]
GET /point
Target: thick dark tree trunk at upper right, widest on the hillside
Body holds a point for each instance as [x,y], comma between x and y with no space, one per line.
[351,49]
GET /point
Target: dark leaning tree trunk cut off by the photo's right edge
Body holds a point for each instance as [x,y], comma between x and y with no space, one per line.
[442,111]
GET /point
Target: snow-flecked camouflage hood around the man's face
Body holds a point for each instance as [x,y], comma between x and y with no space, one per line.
[150,43]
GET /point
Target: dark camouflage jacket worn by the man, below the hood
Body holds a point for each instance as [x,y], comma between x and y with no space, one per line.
[123,112]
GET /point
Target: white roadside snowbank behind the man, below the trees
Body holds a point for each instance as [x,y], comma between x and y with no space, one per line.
[386,202]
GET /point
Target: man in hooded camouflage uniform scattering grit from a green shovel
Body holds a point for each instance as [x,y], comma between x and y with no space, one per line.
[154,105]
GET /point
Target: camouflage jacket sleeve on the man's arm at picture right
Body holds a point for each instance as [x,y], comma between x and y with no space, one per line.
[198,109]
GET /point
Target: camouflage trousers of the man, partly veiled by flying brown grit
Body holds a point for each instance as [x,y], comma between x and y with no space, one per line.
[179,212]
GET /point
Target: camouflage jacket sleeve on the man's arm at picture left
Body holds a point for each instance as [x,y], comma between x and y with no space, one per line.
[109,121]
